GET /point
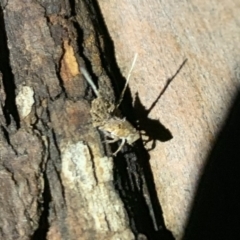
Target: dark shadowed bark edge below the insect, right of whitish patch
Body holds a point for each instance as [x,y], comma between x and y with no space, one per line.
[135,184]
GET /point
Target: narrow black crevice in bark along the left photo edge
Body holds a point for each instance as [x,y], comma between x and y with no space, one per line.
[9,108]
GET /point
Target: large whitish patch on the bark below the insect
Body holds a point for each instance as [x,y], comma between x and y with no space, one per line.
[89,177]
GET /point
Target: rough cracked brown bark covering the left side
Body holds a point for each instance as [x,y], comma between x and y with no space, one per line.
[58,180]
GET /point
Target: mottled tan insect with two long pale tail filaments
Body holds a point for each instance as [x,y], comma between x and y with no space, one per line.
[105,119]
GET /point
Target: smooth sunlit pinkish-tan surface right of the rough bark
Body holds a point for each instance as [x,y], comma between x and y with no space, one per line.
[195,104]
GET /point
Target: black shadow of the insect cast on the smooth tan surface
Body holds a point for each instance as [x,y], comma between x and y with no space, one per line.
[153,129]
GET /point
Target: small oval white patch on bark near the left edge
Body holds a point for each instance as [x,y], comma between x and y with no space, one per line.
[25,101]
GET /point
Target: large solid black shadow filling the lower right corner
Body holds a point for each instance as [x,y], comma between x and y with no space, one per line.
[216,209]
